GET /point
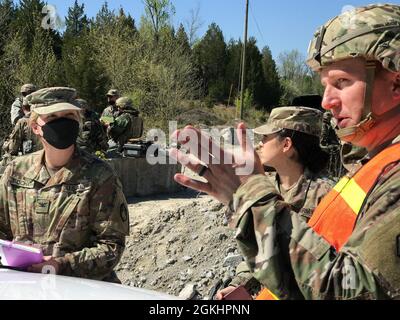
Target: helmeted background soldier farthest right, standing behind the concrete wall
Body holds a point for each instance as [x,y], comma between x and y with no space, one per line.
[125,125]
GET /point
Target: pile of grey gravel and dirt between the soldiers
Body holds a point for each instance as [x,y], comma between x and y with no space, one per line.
[180,246]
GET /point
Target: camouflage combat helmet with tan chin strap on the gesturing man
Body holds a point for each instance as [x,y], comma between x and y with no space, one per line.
[370,32]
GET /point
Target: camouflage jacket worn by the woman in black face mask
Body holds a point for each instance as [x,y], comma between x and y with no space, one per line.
[79,215]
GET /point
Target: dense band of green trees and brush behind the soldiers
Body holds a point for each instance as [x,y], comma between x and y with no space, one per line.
[159,68]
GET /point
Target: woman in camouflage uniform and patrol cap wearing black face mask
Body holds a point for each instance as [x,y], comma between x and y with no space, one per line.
[63,199]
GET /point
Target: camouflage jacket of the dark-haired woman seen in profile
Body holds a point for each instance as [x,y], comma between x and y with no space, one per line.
[303,198]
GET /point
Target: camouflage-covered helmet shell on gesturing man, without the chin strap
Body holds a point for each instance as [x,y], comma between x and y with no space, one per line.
[371,32]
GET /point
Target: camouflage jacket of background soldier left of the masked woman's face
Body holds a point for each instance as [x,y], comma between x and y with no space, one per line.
[22,139]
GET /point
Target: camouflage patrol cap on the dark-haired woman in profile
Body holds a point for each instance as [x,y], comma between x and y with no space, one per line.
[303,119]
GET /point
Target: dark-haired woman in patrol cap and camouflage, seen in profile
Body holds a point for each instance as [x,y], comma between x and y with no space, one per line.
[291,146]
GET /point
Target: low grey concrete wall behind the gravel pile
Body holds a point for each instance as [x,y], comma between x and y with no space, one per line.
[139,178]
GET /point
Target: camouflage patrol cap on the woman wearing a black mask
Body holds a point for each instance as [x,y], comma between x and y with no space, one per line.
[50,100]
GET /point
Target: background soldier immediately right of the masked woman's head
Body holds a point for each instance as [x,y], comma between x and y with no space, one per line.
[92,137]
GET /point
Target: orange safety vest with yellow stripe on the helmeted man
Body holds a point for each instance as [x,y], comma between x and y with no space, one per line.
[336,215]
